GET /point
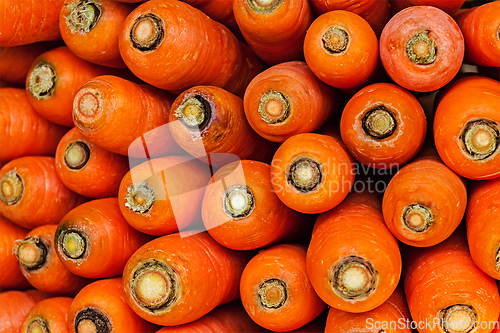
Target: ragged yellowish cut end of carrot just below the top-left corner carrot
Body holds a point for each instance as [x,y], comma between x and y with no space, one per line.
[42,81]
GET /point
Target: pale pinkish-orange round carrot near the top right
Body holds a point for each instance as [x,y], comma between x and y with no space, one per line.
[421,48]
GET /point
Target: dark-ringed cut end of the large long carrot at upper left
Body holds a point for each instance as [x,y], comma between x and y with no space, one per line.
[147,32]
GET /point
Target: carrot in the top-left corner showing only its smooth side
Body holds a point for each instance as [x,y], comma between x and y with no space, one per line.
[29,21]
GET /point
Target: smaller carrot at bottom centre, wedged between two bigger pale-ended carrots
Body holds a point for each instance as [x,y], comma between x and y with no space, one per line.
[276,291]
